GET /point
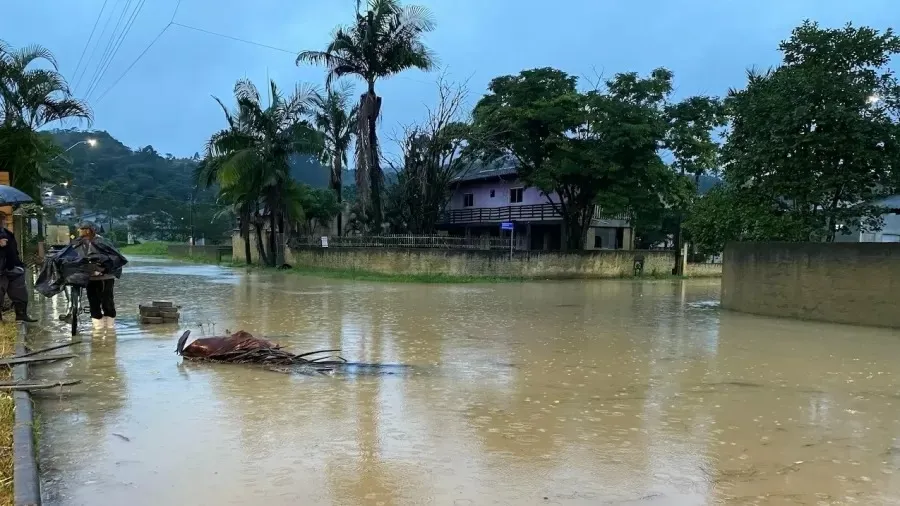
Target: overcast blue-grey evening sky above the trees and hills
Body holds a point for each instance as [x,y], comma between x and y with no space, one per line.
[165,99]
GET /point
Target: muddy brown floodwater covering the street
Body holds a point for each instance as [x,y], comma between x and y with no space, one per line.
[612,392]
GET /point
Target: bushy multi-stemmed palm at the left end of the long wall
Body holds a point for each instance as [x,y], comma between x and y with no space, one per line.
[250,160]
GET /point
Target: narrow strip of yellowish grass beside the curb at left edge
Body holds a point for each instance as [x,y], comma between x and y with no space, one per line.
[7,412]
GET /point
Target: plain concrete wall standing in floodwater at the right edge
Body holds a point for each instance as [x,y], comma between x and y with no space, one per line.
[855,283]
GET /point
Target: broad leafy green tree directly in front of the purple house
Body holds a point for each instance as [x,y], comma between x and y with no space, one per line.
[594,148]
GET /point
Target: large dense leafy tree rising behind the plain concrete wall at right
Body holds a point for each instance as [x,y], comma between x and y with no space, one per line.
[814,140]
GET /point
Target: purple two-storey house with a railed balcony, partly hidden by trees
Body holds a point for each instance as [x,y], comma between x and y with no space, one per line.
[489,195]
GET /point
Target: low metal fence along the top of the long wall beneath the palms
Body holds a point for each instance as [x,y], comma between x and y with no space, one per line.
[409,241]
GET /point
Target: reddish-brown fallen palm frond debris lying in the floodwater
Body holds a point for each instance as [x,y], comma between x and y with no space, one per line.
[242,348]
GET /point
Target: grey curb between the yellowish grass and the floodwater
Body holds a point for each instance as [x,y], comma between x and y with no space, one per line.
[26,481]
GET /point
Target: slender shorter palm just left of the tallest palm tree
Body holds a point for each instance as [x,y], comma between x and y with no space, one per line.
[335,120]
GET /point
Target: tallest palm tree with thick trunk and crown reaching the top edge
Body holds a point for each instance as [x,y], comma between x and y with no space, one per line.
[385,39]
